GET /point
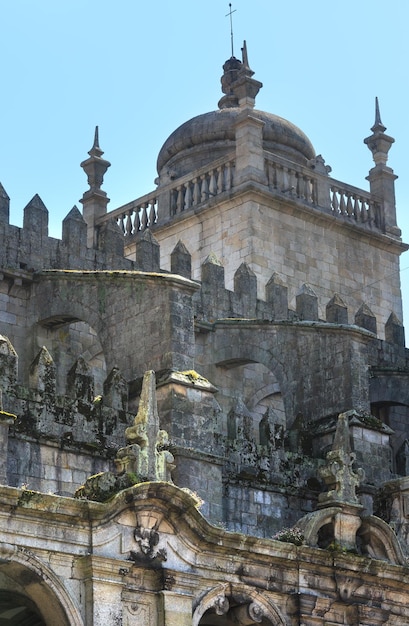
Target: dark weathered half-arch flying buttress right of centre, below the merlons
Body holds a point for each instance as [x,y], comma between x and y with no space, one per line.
[300,354]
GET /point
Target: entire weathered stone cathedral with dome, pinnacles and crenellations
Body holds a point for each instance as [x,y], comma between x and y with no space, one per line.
[204,408]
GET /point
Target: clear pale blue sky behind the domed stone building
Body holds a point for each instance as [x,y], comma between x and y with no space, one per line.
[139,69]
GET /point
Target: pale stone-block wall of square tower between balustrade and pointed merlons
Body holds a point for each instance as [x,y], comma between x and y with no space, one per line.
[301,245]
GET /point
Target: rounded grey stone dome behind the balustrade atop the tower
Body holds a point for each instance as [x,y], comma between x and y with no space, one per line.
[207,137]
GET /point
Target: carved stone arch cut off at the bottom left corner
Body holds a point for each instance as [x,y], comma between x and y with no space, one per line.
[23,573]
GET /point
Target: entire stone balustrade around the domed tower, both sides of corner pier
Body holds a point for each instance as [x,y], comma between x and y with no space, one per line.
[305,184]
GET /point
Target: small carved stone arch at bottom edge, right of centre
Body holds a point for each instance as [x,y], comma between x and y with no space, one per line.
[226,604]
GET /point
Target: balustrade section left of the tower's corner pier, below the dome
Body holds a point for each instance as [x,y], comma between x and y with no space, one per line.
[165,202]
